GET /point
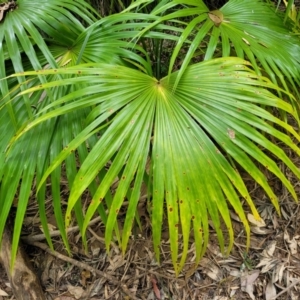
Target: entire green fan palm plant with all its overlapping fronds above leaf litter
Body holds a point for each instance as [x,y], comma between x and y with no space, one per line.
[92,93]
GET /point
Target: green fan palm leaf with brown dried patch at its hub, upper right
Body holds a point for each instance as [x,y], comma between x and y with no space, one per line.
[248,29]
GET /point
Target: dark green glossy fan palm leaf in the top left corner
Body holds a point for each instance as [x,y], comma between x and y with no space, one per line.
[24,29]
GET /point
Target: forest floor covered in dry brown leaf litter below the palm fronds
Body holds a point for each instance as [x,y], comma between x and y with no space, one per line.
[269,270]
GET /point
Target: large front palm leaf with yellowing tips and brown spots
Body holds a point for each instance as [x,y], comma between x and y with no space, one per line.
[190,136]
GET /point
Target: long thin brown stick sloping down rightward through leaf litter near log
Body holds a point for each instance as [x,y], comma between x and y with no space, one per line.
[84,266]
